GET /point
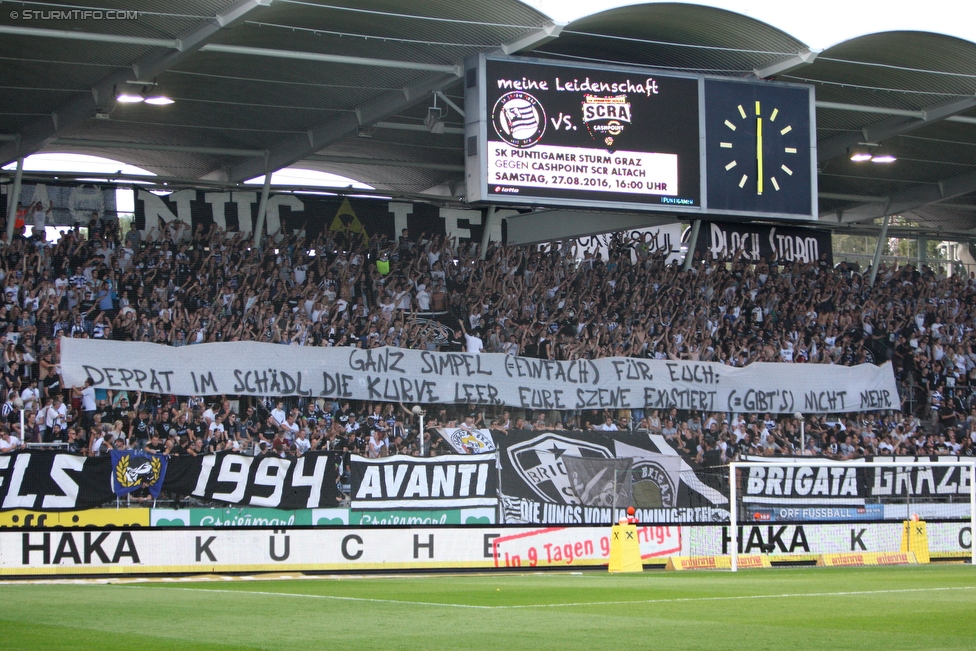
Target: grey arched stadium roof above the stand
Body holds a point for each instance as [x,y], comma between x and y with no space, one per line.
[344,87]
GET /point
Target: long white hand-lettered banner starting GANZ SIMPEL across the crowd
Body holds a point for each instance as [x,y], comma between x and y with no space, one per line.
[402,375]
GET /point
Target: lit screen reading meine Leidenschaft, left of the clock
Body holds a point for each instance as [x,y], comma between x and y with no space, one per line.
[605,135]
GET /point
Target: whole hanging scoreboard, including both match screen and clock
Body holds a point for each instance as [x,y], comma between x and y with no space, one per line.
[548,133]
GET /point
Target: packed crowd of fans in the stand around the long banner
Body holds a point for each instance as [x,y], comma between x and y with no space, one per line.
[561,301]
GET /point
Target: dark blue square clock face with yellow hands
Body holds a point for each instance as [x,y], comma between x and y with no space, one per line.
[758,143]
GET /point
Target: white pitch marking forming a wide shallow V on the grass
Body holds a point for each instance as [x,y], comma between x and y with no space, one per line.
[571,604]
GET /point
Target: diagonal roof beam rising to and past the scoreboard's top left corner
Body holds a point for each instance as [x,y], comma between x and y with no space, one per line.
[334,129]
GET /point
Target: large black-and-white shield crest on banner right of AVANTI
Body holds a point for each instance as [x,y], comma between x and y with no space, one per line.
[538,462]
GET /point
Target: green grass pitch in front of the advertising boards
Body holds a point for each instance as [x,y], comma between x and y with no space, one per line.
[922,607]
